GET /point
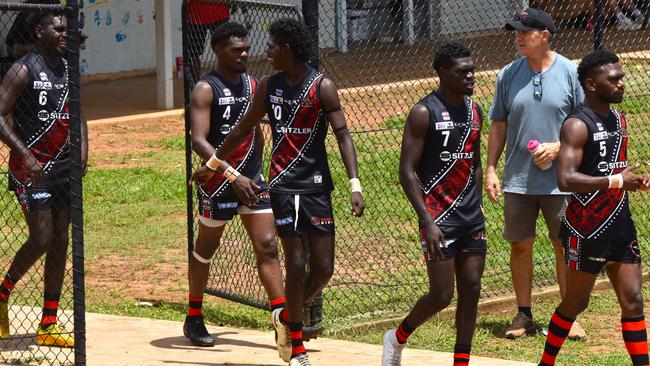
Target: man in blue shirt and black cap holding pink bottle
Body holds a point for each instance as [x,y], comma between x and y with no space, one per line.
[533,96]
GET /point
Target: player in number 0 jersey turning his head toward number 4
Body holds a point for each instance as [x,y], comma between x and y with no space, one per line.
[299,102]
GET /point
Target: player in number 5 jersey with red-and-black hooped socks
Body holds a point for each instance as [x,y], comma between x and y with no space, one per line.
[598,231]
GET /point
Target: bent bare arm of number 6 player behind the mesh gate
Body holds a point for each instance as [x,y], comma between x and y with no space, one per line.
[12,86]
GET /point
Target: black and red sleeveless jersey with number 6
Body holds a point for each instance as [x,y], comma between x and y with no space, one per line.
[40,119]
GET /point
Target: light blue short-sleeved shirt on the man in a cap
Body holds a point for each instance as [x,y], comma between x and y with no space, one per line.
[531,117]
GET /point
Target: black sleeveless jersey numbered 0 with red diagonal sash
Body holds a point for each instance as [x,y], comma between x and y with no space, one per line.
[299,127]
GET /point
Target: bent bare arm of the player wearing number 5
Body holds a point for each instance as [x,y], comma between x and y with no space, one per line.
[573,137]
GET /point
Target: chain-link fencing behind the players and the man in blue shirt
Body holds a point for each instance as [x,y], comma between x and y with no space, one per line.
[380,54]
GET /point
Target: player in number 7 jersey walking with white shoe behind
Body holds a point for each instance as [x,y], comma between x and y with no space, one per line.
[440,171]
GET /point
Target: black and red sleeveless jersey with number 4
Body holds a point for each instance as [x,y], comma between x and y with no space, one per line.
[229,103]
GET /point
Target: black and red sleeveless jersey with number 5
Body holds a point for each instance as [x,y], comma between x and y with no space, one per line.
[601,214]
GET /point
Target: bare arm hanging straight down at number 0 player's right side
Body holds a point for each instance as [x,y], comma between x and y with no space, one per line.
[336,118]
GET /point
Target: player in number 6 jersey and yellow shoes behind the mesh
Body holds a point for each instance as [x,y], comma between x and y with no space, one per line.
[35,92]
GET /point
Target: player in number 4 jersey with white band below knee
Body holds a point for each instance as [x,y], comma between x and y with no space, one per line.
[219,101]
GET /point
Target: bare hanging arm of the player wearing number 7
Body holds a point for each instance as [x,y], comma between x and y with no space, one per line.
[415,131]
